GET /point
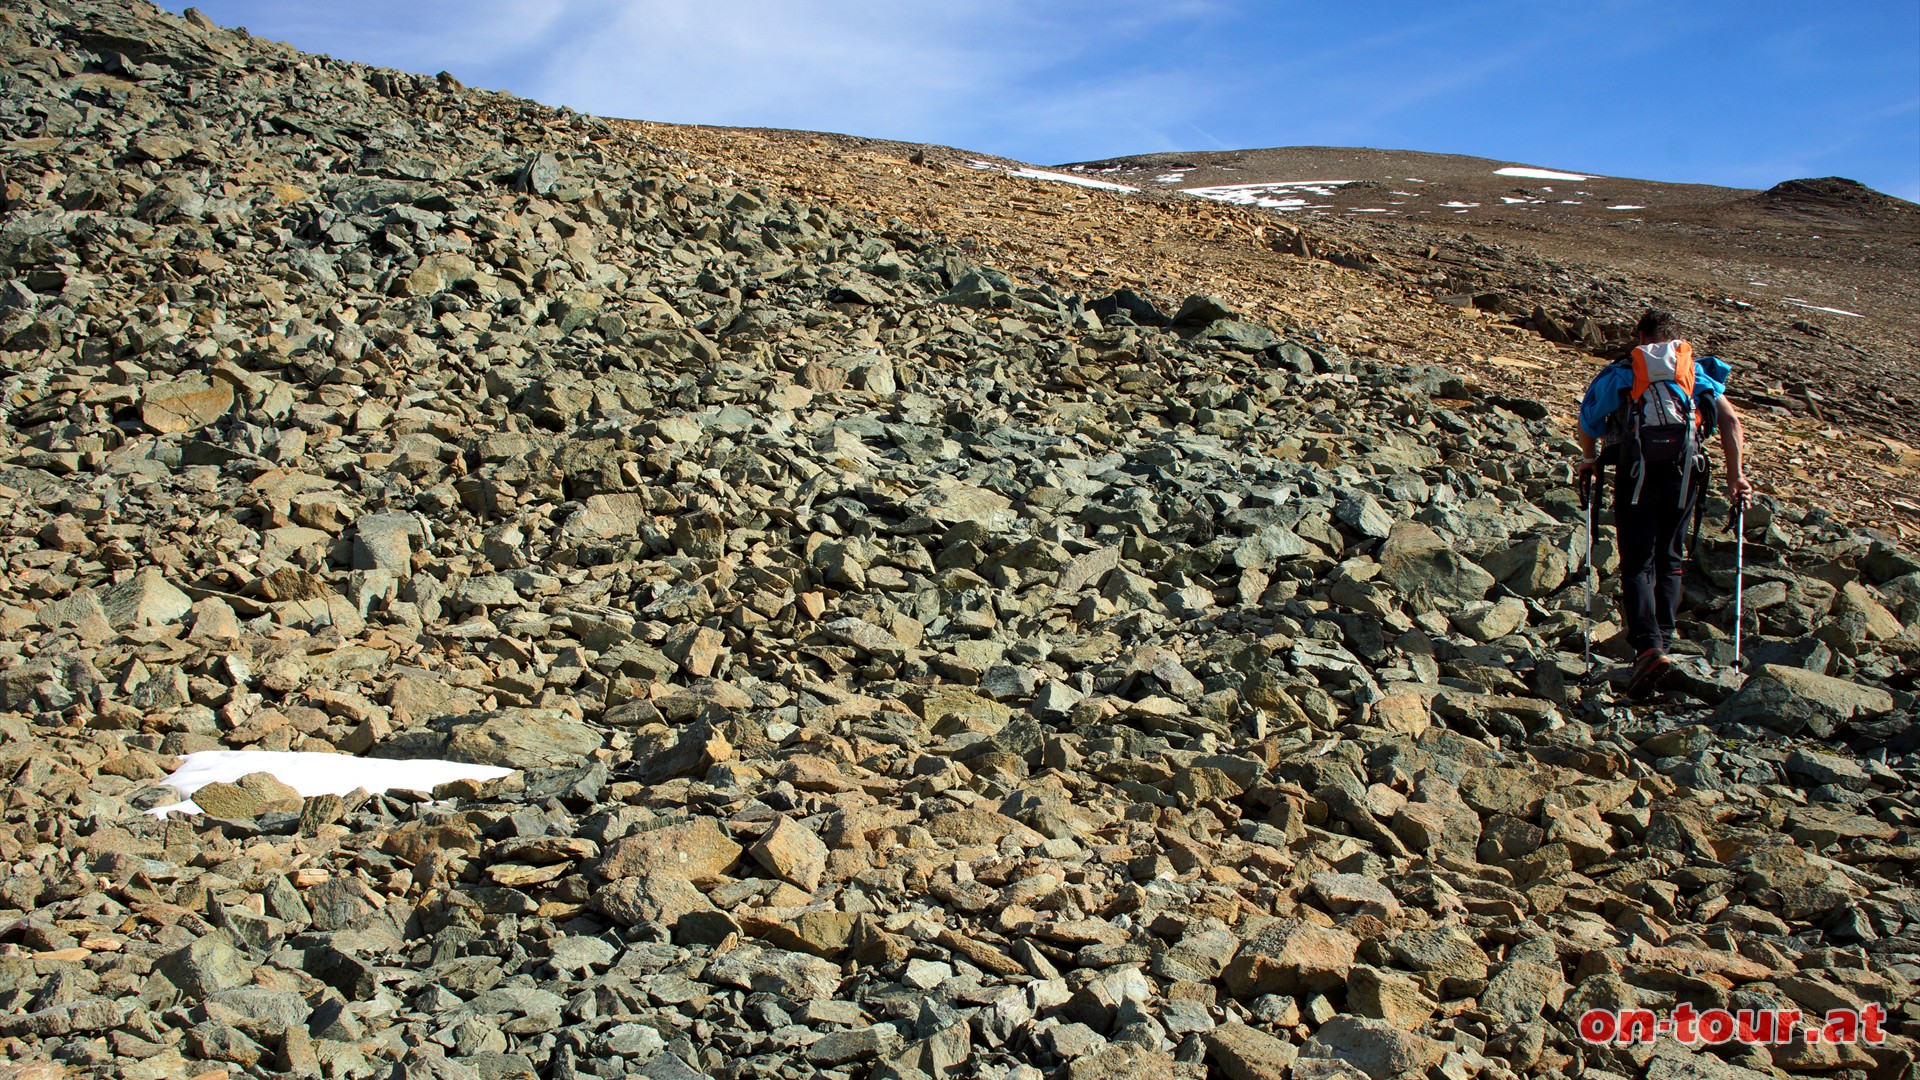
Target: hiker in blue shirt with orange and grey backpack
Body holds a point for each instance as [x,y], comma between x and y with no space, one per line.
[1654,410]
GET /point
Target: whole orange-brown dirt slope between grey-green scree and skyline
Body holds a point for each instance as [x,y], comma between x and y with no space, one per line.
[1527,293]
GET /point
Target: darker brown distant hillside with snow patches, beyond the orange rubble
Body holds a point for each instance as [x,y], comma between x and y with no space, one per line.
[1577,260]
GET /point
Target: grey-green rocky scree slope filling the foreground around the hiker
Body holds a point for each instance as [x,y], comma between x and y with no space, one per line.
[911,670]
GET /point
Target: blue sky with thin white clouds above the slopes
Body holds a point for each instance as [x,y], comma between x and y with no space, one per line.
[1739,93]
